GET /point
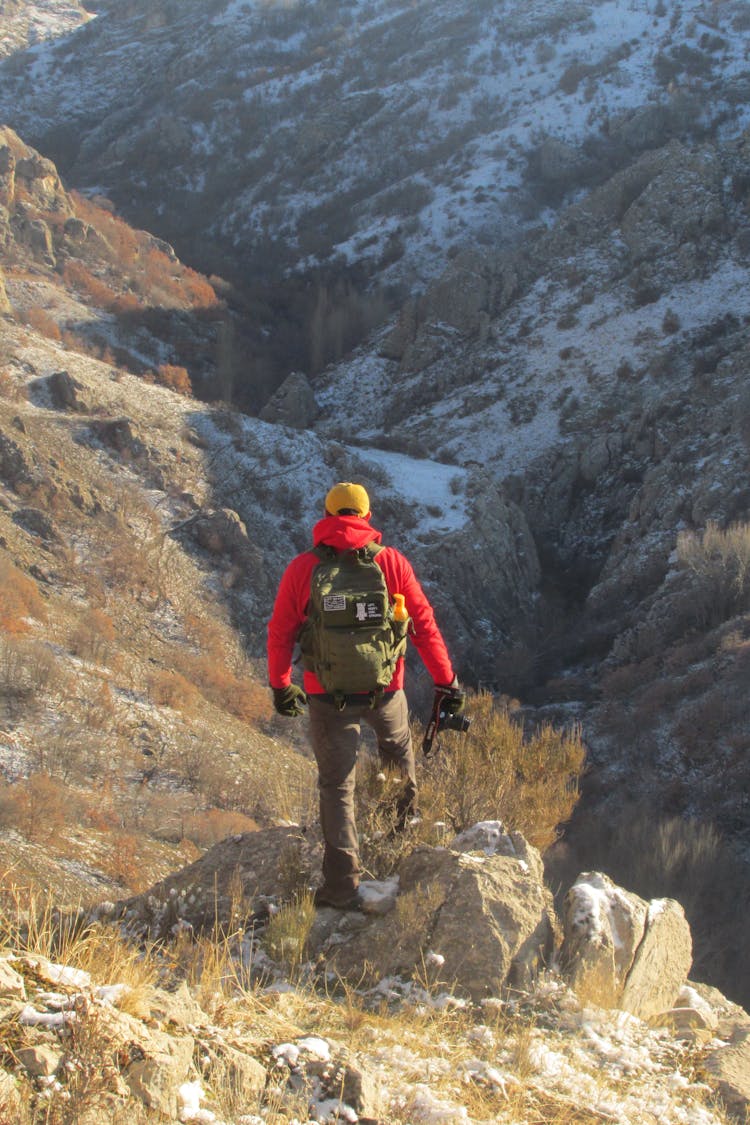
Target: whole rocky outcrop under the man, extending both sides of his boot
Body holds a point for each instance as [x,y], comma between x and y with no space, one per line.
[480,906]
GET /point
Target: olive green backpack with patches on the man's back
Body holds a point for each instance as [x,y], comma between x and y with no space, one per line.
[351,640]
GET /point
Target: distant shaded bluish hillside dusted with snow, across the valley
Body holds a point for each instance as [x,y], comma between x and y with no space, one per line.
[329,157]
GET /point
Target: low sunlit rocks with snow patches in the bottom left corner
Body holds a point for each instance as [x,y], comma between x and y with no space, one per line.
[68,1022]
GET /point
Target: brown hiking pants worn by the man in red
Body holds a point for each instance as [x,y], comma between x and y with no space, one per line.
[336,739]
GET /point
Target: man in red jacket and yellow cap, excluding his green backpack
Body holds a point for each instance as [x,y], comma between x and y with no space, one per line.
[336,719]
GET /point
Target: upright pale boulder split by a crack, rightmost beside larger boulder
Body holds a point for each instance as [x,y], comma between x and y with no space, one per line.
[621,952]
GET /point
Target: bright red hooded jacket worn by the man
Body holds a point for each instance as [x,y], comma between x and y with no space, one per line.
[349,533]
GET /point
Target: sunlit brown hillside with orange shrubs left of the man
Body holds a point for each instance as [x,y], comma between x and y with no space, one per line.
[134,723]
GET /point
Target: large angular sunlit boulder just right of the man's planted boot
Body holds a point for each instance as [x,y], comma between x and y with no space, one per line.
[477,913]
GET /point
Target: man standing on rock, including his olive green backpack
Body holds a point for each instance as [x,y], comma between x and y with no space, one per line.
[350,604]
